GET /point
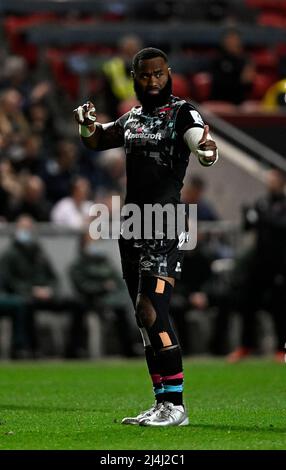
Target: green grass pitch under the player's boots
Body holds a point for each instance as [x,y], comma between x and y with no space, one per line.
[79,405]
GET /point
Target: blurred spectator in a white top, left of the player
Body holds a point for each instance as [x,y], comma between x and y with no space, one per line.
[73,211]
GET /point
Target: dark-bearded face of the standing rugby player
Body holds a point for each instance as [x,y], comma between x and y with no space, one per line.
[152,75]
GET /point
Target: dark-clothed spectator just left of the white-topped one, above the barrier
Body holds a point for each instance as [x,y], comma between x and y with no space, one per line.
[33,201]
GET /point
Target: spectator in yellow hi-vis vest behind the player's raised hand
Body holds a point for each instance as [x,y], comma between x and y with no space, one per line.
[117,74]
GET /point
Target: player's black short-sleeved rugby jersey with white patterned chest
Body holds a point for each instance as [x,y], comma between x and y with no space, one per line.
[156,154]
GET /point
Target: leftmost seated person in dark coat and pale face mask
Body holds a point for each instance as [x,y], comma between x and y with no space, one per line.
[27,272]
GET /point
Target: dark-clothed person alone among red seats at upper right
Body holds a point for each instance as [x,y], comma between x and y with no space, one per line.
[232,72]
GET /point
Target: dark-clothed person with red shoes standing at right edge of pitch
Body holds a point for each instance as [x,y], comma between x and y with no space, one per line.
[266,273]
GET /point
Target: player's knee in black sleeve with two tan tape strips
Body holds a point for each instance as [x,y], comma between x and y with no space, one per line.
[153,312]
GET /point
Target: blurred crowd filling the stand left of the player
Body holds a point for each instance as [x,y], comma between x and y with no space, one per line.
[44,170]
